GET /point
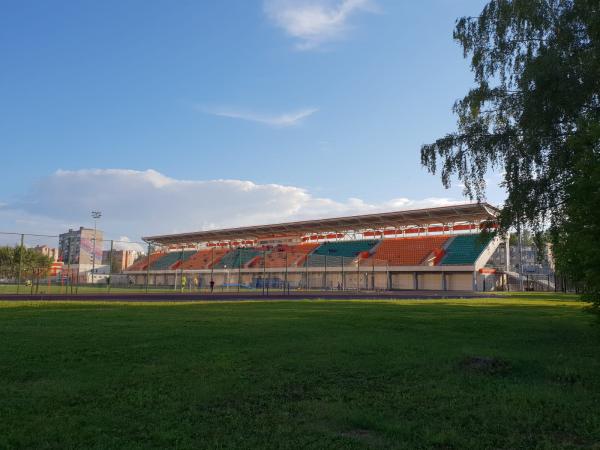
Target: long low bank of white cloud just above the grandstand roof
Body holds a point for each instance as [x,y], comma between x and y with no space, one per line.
[137,203]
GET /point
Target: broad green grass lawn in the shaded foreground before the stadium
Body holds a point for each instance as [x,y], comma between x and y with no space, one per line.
[513,372]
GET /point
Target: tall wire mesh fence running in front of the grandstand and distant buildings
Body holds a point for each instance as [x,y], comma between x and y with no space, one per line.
[85,261]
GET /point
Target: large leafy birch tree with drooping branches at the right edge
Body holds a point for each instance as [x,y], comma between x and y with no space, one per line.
[534,115]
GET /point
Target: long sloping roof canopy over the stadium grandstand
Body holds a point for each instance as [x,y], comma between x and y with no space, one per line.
[462,213]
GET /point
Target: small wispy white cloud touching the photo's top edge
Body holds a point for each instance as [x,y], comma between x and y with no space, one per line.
[313,22]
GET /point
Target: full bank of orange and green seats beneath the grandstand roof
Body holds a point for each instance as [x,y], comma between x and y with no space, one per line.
[410,251]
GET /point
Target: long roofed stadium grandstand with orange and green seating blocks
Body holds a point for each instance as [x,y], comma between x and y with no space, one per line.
[443,248]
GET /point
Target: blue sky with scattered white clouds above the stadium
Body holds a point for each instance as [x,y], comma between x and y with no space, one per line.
[189,115]
